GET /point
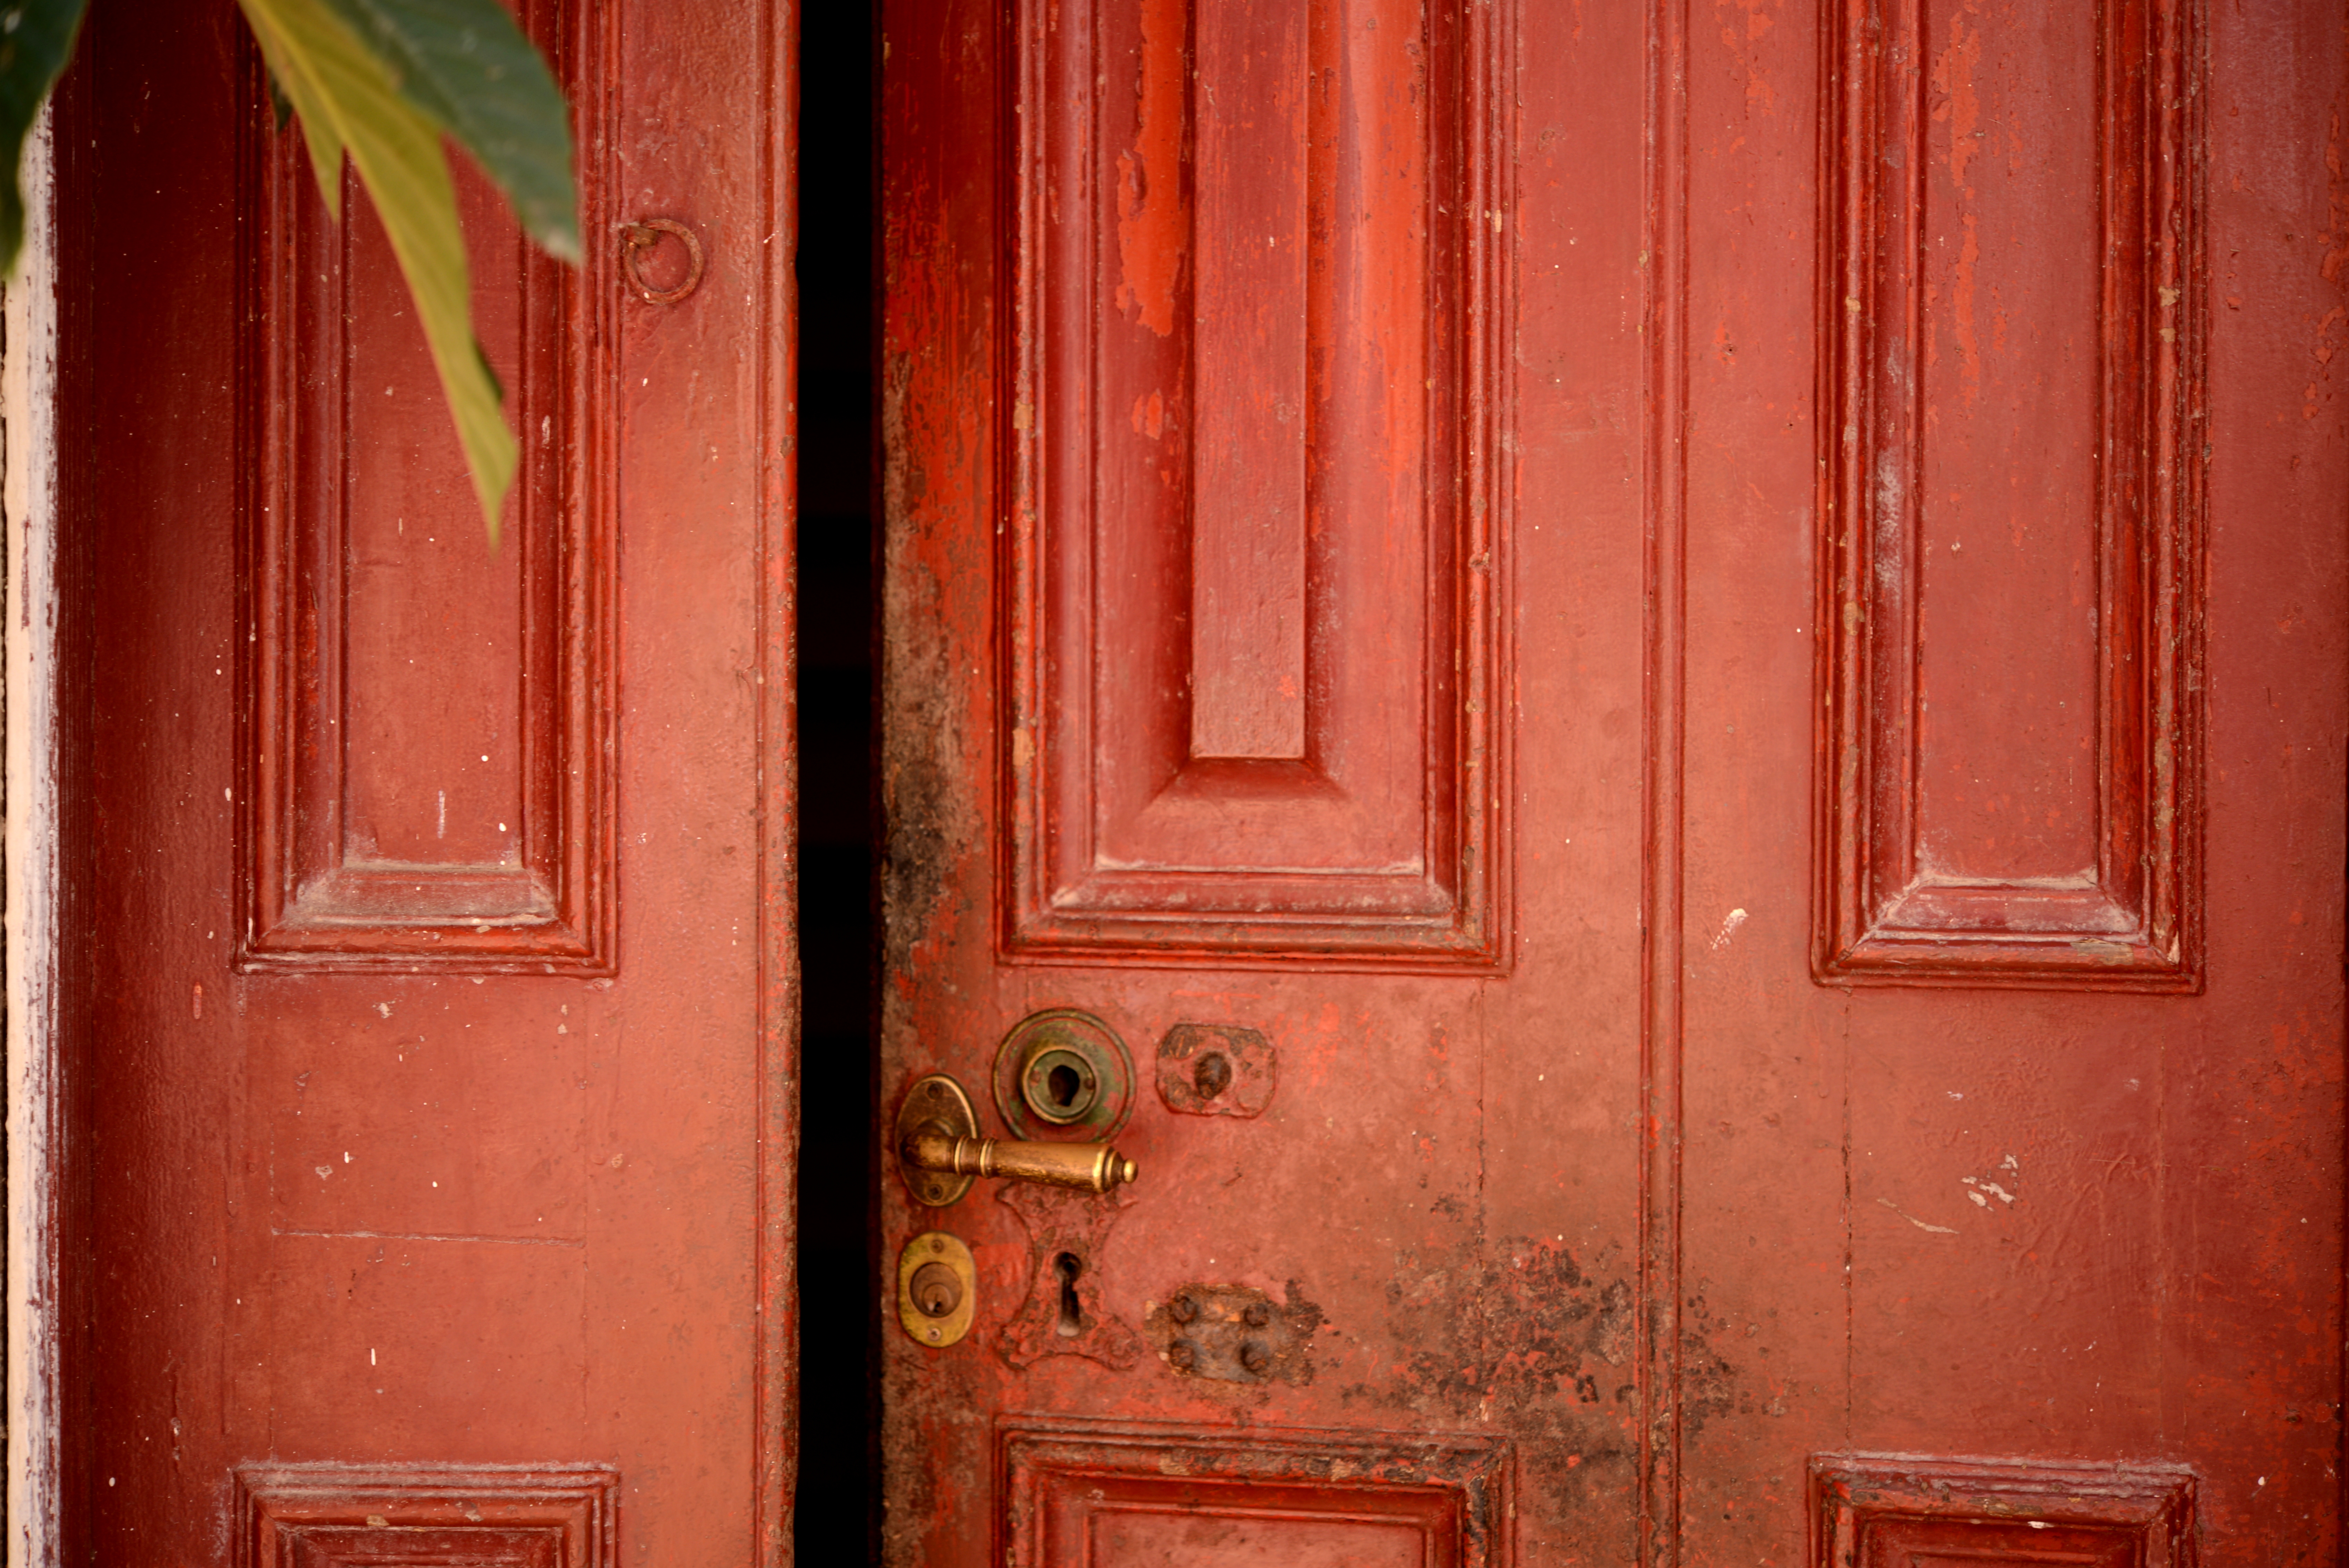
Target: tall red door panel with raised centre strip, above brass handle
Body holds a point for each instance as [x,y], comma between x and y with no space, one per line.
[1253,572]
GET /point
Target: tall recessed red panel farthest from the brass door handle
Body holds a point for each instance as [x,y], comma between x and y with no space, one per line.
[2012,501]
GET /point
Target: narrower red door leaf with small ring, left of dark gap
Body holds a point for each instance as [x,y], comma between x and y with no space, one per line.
[431,1046]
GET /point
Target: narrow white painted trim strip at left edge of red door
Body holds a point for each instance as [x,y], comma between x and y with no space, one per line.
[29,644]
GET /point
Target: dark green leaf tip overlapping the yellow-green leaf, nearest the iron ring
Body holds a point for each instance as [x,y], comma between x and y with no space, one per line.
[469,65]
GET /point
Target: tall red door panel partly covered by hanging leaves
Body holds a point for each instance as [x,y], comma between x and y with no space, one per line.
[429,766]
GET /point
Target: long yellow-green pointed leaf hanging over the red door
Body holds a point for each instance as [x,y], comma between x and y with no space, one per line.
[346,100]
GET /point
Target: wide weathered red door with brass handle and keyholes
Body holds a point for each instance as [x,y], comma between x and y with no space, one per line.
[1650,701]
